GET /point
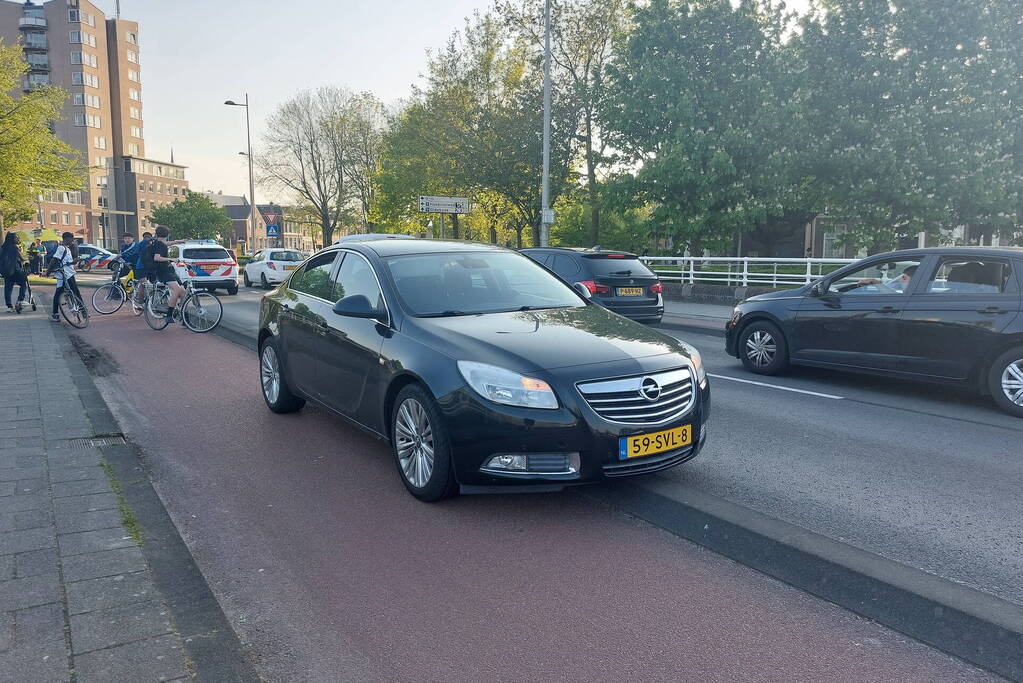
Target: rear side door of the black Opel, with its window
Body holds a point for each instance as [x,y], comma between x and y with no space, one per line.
[305,306]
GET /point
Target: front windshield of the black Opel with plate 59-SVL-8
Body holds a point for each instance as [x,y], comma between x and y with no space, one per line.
[469,284]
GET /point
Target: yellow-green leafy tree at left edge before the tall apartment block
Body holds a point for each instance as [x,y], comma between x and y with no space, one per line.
[32,158]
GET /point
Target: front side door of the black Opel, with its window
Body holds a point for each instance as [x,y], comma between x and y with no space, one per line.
[349,349]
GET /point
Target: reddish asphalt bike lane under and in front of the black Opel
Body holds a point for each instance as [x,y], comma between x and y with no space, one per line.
[333,572]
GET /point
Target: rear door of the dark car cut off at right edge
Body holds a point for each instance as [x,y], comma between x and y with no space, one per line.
[957,318]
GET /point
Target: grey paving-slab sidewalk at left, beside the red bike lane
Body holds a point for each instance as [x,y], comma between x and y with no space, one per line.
[77,597]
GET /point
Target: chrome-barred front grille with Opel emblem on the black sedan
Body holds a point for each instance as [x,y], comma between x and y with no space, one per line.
[643,399]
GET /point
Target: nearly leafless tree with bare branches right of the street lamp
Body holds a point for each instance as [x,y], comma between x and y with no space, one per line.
[305,152]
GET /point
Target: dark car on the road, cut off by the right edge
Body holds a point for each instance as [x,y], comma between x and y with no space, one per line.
[949,315]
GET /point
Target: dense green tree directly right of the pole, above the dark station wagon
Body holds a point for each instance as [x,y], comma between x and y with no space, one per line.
[698,106]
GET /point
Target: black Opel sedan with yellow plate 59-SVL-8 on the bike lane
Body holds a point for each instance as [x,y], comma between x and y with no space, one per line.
[482,370]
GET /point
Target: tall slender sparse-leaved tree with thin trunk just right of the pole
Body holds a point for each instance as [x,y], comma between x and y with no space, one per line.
[584,33]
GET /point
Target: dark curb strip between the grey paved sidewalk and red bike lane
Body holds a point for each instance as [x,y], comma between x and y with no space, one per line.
[212,645]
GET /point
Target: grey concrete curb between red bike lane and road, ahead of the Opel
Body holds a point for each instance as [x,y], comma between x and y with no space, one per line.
[969,624]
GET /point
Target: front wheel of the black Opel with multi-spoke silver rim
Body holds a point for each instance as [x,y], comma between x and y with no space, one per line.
[416,417]
